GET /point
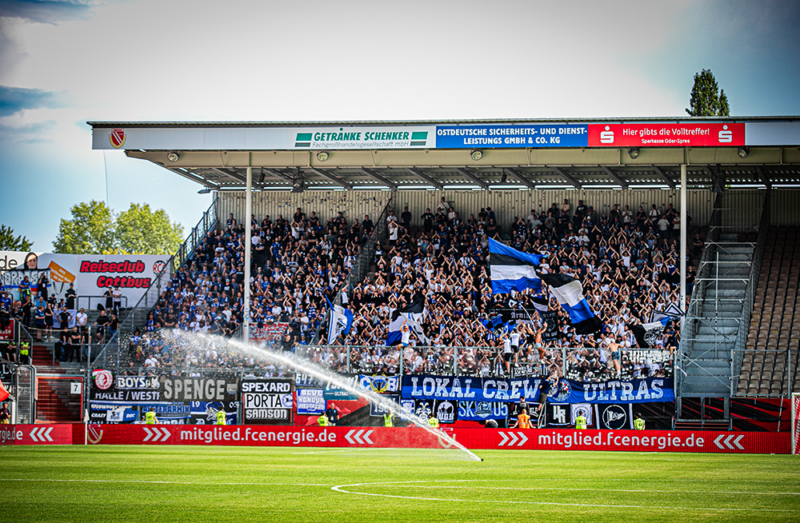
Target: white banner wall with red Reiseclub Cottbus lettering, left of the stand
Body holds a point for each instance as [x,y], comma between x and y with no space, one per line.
[90,274]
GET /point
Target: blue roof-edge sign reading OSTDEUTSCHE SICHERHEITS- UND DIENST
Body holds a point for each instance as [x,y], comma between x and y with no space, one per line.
[522,135]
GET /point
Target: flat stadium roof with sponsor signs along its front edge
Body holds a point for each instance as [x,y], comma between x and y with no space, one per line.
[467,154]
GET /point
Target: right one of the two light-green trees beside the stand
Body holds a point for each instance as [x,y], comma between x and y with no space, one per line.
[141,231]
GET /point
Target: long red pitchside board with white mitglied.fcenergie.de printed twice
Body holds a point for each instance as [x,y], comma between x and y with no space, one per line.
[474,439]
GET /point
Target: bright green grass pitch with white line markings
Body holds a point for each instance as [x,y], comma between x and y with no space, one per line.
[139,483]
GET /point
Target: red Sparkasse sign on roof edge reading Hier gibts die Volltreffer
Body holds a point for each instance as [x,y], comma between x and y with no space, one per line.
[667,135]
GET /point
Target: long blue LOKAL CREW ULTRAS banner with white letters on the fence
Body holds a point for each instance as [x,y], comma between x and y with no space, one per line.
[461,388]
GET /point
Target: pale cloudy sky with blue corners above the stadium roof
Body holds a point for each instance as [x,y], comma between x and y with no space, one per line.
[65,62]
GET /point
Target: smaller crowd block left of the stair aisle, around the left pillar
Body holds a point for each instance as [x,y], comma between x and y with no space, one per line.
[297,263]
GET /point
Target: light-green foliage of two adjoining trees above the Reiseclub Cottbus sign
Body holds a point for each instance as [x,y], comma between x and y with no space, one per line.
[95,229]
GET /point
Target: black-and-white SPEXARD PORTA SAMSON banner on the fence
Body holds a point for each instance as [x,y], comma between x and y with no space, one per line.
[267,401]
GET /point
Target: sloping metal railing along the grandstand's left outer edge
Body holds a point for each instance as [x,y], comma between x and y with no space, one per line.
[138,314]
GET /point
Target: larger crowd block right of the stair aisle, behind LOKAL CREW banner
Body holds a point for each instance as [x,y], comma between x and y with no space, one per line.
[627,263]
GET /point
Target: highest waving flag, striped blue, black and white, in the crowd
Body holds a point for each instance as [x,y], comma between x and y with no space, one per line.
[512,270]
